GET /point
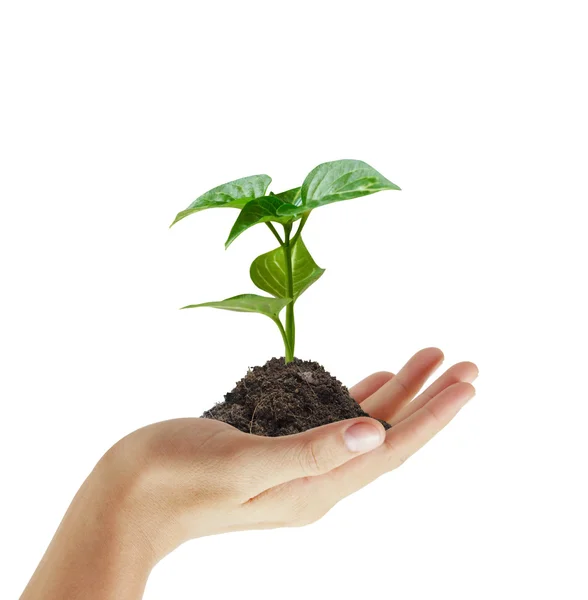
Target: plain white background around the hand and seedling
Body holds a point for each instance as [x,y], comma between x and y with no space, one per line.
[116,115]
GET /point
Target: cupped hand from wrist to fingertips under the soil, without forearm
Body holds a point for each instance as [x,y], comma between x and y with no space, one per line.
[196,477]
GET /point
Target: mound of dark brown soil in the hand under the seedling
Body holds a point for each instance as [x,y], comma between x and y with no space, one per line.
[281,399]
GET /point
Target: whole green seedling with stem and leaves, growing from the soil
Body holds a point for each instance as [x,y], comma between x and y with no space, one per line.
[289,270]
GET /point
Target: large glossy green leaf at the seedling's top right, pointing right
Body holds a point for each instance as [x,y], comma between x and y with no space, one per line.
[339,180]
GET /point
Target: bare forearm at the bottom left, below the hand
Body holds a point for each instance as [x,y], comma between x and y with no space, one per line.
[98,552]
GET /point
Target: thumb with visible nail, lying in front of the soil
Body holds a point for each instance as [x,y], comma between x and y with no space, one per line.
[319,450]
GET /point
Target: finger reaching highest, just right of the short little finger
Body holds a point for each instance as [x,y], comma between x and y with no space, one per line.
[396,393]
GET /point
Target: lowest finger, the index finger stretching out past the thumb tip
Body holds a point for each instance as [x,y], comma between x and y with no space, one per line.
[401,442]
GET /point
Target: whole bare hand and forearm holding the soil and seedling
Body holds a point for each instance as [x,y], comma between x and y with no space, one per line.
[187,478]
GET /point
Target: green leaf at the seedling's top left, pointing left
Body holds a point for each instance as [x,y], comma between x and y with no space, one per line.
[235,194]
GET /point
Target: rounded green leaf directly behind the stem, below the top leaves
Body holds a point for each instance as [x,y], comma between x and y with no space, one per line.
[268,271]
